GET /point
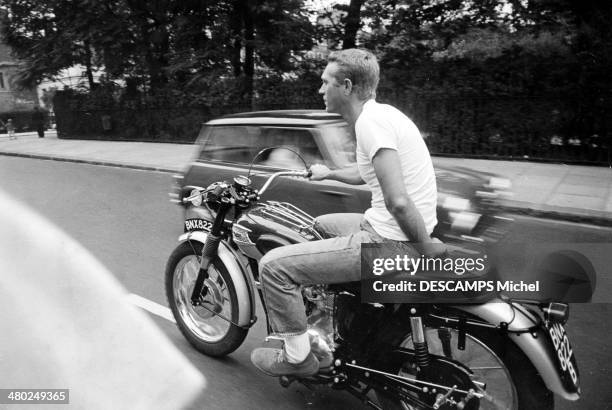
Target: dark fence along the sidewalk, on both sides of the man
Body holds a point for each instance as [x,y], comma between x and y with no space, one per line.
[516,128]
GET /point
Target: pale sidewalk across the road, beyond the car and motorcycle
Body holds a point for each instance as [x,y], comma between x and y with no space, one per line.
[572,192]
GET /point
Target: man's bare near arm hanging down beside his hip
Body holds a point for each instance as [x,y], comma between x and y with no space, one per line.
[398,203]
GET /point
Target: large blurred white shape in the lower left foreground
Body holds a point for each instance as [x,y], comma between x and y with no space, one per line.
[66,324]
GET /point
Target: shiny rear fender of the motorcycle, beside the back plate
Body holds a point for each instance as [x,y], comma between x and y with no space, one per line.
[537,345]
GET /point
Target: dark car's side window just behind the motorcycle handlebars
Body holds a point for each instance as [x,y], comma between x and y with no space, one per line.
[242,143]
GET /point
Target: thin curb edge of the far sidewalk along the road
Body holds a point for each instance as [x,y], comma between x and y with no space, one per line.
[526,209]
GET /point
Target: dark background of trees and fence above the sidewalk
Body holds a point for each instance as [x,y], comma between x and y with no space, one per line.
[505,78]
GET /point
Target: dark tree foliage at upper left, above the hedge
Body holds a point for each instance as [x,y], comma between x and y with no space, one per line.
[157,43]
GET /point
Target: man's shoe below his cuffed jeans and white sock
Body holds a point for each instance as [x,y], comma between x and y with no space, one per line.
[273,362]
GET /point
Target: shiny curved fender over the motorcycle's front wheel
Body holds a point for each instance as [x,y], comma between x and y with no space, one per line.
[239,273]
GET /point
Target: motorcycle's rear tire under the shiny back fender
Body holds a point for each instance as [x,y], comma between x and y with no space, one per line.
[514,385]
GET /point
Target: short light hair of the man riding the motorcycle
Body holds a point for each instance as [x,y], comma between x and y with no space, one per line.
[361,67]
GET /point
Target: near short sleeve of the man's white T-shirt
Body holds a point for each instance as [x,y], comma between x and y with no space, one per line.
[374,134]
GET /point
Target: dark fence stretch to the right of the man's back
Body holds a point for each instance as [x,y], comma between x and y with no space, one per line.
[527,128]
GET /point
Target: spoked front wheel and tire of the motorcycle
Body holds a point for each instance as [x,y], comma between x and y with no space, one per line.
[207,332]
